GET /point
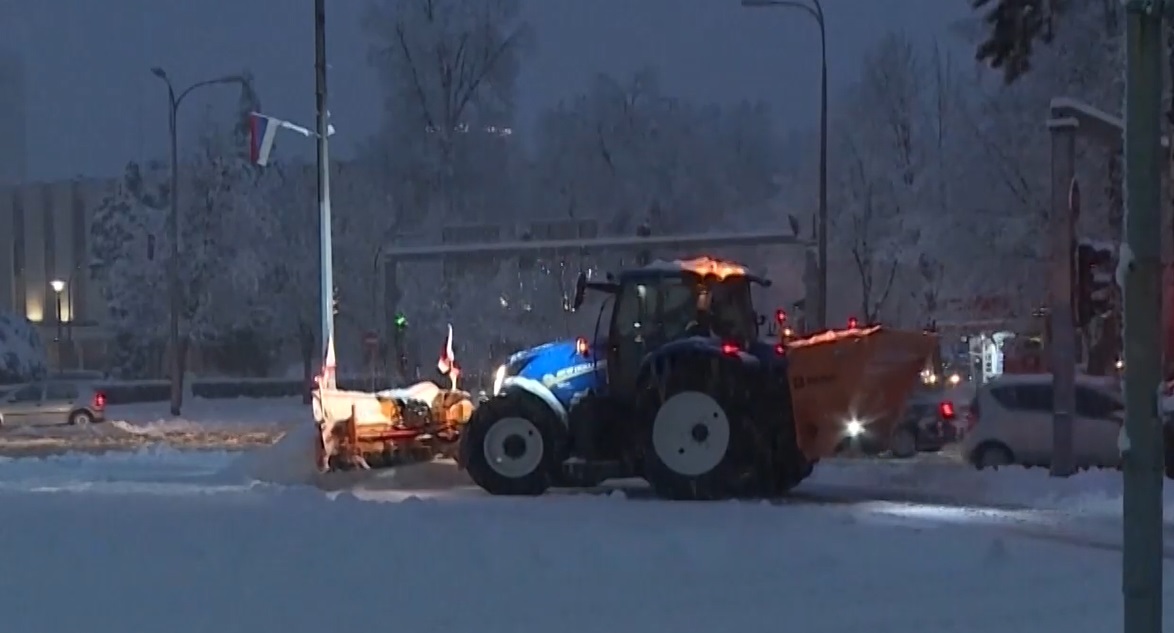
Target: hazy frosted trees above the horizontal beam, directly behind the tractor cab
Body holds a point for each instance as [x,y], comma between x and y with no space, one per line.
[624,149]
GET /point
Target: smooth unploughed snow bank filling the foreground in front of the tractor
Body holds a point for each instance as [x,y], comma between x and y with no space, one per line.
[300,563]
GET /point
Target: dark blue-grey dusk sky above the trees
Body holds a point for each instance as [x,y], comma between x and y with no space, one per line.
[93,104]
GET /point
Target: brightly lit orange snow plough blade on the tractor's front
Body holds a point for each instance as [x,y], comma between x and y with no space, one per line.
[361,430]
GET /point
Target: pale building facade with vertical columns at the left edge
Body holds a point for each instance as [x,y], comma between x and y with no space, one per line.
[45,239]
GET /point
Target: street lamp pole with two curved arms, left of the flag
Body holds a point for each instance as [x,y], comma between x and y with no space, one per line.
[176,98]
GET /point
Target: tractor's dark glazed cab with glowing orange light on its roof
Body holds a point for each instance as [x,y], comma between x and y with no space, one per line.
[670,301]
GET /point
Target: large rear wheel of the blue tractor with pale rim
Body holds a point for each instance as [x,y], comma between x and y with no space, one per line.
[698,437]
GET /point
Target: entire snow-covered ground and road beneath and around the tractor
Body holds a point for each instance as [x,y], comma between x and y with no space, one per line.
[163,540]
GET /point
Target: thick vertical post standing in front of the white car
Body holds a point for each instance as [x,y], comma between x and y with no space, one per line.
[1063,344]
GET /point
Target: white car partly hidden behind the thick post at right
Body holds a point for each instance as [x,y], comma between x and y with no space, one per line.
[1010,422]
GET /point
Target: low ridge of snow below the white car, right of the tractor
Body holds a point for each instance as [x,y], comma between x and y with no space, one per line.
[1091,493]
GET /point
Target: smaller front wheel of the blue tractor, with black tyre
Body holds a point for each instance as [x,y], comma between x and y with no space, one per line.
[514,446]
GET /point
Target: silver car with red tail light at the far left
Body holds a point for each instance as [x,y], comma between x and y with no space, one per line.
[53,402]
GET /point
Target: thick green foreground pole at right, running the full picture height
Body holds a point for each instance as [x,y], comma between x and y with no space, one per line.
[1141,266]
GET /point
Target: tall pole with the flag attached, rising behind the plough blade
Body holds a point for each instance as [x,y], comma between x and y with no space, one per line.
[327,286]
